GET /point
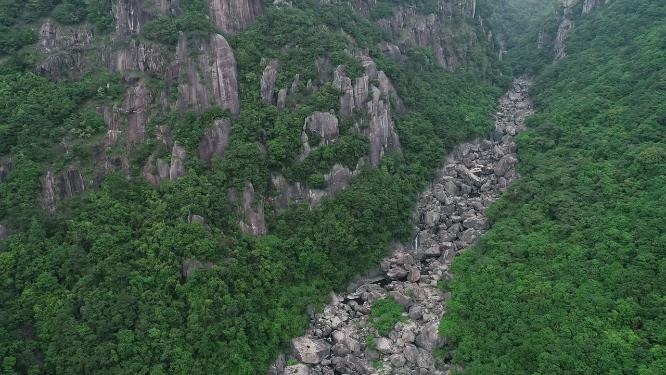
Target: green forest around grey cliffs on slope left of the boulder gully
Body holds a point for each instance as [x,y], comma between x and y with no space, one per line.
[96,286]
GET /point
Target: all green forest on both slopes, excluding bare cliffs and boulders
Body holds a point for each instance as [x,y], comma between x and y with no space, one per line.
[570,279]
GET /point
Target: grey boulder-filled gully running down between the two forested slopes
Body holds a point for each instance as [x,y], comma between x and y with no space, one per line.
[450,218]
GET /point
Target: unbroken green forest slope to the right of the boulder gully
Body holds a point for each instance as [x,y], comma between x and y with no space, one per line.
[572,277]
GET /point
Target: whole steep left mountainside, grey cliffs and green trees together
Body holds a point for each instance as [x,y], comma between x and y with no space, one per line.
[166,168]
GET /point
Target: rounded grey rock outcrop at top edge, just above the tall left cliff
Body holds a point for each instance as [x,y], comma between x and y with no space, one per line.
[233,16]
